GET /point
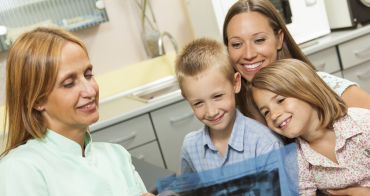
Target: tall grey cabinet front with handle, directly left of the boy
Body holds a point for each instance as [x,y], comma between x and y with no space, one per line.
[171,124]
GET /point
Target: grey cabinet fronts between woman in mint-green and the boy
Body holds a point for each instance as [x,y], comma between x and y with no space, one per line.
[154,136]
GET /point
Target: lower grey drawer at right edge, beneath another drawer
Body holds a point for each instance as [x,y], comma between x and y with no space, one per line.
[359,74]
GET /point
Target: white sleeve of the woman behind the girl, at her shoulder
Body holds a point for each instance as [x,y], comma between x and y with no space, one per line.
[339,85]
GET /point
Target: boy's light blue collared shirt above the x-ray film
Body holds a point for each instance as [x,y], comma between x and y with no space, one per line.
[248,139]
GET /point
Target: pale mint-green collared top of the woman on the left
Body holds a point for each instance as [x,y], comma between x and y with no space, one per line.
[55,166]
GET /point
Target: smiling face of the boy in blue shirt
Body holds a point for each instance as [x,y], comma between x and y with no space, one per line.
[212,98]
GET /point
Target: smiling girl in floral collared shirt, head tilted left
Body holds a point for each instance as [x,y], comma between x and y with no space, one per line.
[333,140]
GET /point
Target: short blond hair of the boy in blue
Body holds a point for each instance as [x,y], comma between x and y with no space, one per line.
[201,54]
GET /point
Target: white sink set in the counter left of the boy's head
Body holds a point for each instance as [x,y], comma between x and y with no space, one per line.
[159,89]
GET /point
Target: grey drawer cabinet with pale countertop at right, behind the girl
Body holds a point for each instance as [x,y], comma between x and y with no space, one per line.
[345,54]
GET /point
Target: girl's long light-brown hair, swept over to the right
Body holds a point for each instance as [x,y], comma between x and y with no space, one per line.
[294,78]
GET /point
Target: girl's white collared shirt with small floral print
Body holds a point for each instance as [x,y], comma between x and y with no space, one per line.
[352,151]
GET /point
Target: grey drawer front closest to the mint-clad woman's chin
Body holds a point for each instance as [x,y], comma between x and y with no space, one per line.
[129,134]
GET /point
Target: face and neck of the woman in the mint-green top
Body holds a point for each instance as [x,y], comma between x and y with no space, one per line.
[73,103]
